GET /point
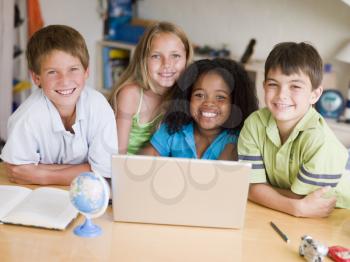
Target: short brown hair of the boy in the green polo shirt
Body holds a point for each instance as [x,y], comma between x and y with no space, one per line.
[293,57]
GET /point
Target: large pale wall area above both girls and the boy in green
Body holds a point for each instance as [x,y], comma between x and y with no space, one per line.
[324,23]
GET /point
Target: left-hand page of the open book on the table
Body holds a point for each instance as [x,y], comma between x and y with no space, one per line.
[10,196]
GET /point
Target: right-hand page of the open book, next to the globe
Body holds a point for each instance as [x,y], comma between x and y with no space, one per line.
[44,207]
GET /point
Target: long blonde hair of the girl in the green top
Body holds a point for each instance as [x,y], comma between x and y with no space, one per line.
[137,71]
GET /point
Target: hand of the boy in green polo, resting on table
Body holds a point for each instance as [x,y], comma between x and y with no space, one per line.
[316,204]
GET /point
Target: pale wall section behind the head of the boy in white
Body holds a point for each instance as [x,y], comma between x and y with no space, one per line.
[83,16]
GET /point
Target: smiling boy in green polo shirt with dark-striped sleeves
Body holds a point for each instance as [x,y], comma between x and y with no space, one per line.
[298,163]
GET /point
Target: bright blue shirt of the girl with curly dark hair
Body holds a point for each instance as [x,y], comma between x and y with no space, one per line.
[182,143]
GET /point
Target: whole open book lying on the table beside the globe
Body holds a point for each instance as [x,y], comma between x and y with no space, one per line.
[42,207]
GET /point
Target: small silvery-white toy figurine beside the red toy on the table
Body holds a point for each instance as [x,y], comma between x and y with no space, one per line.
[312,250]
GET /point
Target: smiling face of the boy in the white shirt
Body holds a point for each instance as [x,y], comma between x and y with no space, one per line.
[62,78]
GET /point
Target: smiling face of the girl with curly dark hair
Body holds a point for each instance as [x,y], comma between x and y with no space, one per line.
[210,104]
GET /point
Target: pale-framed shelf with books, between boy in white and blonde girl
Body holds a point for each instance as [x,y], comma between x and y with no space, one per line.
[113,58]
